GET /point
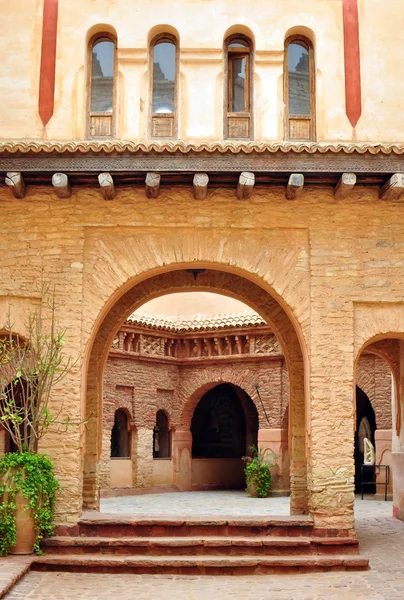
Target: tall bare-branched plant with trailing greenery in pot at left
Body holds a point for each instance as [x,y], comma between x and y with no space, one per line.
[29,369]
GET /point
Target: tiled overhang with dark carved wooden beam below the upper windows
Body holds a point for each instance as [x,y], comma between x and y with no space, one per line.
[272,163]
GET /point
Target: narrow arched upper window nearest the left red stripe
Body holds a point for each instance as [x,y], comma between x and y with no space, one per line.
[102,84]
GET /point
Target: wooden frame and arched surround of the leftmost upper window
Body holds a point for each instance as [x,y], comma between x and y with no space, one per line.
[97,38]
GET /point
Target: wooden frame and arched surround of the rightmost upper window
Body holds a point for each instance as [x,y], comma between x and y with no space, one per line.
[307,44]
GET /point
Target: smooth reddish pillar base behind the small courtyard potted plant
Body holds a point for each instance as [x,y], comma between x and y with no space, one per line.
[276,440]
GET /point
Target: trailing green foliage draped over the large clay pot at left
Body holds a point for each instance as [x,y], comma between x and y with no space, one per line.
[32,474]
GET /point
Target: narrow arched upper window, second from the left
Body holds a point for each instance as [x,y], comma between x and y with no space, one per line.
[164,87]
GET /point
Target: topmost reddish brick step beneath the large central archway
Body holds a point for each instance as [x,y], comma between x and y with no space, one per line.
[104,525]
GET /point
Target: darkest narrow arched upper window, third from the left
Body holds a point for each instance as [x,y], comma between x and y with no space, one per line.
[238,91]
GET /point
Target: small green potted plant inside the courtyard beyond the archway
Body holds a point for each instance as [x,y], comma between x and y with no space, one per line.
[257,471]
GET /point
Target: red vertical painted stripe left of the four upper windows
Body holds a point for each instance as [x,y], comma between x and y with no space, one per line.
[48,61]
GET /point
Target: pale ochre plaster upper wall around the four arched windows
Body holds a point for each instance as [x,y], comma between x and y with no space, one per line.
[202,26]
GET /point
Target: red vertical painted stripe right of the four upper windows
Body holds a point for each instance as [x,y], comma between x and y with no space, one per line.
[353,92]
